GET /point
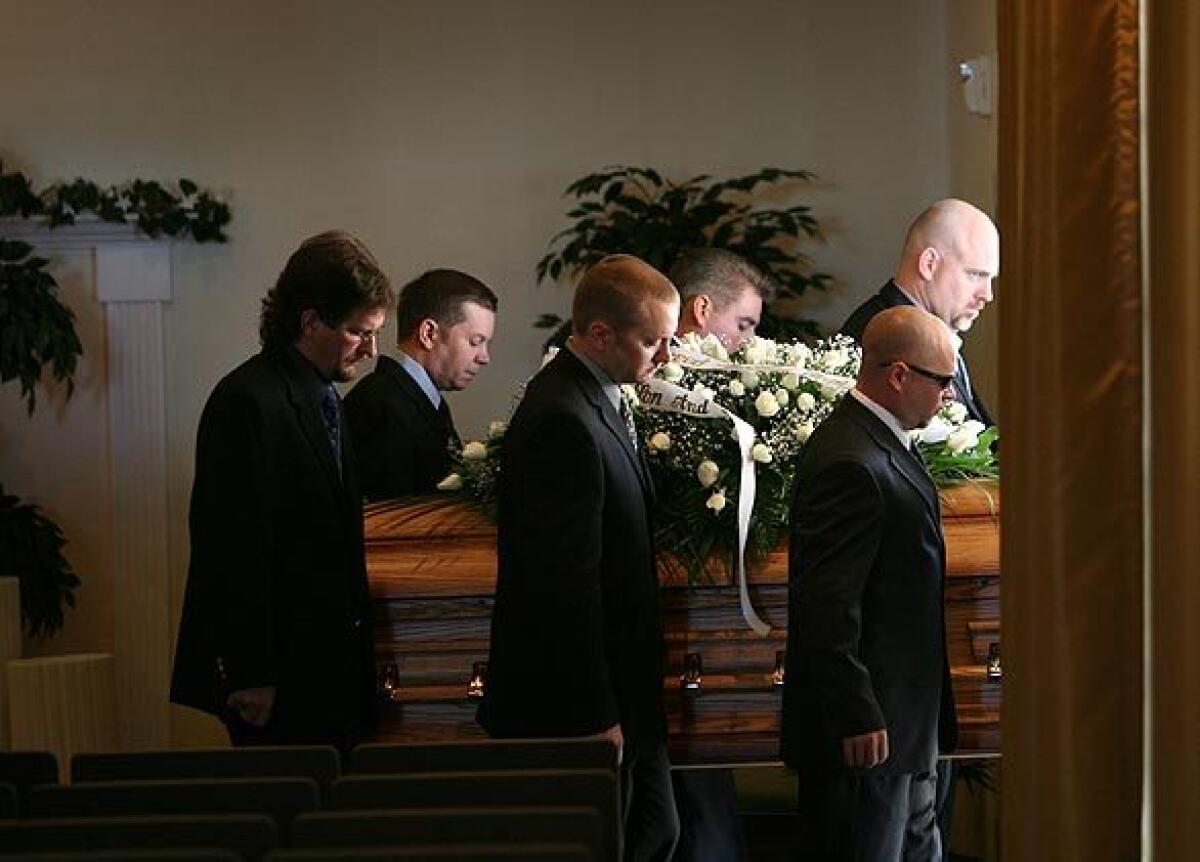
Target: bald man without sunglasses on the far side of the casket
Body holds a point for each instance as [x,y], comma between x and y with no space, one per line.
[950,259]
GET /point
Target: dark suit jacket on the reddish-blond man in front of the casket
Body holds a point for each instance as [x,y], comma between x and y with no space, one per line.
[577,632]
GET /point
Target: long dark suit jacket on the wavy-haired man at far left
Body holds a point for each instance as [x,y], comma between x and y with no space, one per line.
[277,588]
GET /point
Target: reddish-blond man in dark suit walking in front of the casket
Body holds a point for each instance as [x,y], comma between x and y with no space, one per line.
[577,634]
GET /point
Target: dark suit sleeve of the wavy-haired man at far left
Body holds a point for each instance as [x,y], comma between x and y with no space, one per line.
[236,530]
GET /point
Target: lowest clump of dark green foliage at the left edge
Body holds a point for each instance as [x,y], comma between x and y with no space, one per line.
[32,552]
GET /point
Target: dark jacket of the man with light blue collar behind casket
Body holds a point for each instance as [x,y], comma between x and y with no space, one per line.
[401,441]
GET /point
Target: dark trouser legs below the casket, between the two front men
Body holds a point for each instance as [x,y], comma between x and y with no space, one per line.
[710,824]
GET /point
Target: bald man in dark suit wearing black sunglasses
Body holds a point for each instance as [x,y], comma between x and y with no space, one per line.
[868,699]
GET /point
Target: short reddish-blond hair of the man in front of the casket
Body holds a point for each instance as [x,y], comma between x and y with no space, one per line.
[615,290]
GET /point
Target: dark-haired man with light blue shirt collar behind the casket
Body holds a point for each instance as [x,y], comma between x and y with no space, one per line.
[399,420]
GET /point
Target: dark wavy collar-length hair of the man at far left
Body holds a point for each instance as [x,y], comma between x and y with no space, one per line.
[335,276]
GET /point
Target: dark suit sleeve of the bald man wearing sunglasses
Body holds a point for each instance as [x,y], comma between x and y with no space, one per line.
[836,537]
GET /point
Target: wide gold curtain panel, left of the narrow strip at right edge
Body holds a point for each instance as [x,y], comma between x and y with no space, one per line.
[1072,387]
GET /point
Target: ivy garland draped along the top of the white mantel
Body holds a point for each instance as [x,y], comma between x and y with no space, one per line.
[155,209]
